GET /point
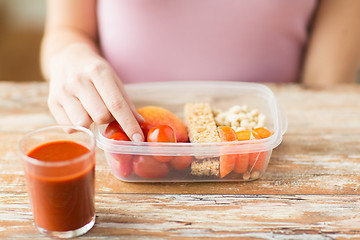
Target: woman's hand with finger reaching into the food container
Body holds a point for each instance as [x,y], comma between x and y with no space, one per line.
[85,89]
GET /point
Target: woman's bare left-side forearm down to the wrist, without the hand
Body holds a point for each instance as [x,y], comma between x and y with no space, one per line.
[68,22]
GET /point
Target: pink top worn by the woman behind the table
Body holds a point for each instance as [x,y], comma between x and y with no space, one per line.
[240,40]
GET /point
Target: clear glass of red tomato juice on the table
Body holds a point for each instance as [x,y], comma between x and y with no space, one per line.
[59,165]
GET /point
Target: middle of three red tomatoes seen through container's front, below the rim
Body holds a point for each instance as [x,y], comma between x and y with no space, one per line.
[148,167]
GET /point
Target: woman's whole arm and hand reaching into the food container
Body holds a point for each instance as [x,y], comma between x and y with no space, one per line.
[83,86]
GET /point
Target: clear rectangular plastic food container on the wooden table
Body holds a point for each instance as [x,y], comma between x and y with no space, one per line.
[122,156]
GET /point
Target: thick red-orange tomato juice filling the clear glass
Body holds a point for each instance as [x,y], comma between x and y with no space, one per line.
[60,177]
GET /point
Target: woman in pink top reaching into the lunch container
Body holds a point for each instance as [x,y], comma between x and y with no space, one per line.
[91,47]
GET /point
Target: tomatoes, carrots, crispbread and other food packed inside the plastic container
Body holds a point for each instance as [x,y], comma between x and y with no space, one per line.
[202,124]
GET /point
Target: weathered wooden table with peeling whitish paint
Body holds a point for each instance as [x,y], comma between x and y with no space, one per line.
[309,191]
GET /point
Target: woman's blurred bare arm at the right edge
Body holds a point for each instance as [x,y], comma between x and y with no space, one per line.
[333,54]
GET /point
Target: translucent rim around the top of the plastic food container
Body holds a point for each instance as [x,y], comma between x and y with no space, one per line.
[204,149]
